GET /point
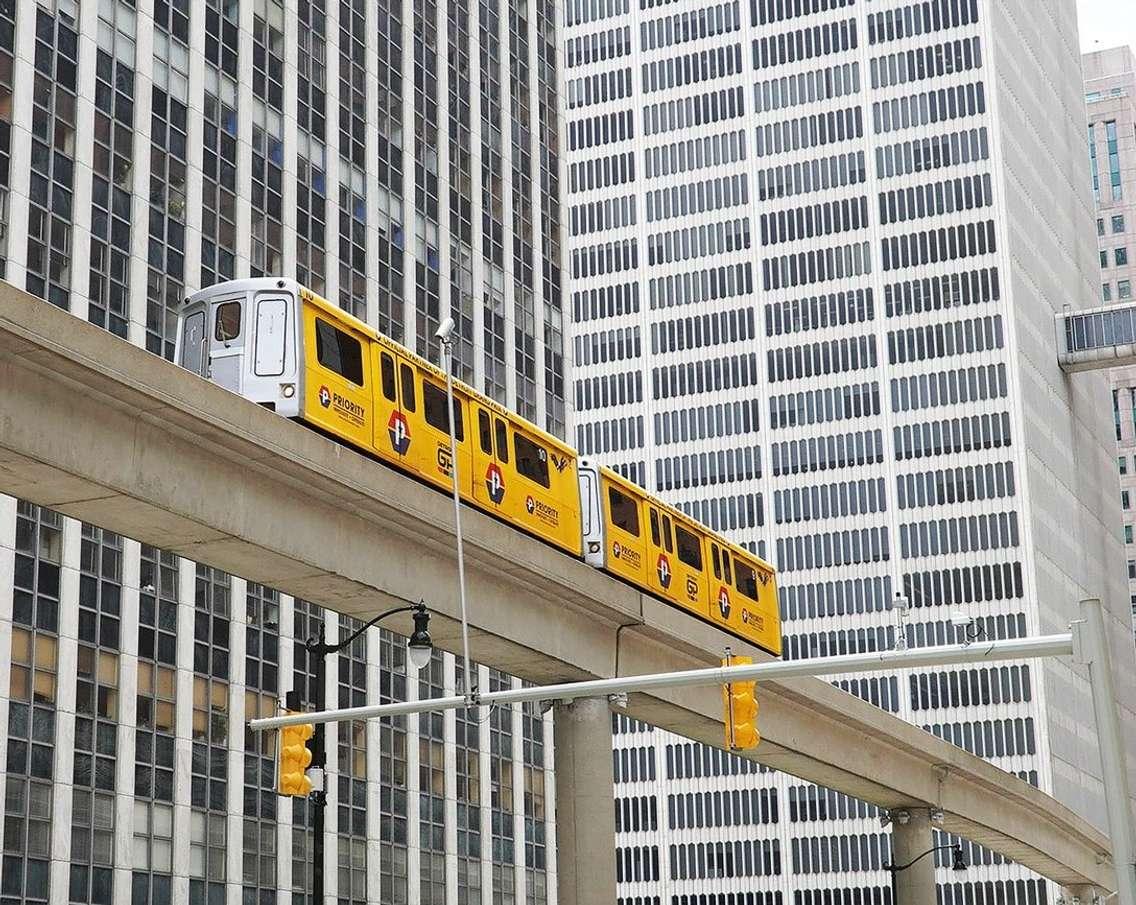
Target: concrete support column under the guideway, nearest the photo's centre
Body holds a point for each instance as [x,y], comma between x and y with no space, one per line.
[586,803]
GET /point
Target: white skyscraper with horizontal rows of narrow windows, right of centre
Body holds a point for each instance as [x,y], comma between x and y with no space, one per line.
[816,248]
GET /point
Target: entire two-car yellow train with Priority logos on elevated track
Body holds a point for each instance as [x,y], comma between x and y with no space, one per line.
[281,346]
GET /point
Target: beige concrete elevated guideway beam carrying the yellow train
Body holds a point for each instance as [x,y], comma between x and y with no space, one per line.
[107,433]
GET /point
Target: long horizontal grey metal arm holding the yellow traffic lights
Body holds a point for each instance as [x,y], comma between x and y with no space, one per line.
[1021,649]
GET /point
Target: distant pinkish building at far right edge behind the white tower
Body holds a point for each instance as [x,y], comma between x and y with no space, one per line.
[1110,93]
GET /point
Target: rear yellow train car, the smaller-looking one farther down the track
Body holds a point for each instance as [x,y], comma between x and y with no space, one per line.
[671,556]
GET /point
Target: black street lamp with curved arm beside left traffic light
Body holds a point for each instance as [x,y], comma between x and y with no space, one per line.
[419,652]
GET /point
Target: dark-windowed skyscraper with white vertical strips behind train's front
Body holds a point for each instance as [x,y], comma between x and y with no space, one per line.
[400,158]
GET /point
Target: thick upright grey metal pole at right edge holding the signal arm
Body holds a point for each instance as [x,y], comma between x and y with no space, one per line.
[1096,653]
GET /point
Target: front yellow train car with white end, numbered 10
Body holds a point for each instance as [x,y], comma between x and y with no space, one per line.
[279,345]
